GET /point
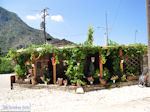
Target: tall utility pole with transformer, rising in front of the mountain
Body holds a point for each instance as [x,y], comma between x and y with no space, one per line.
[43,23]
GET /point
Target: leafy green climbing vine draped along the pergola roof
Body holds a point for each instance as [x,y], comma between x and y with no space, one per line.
[75,56]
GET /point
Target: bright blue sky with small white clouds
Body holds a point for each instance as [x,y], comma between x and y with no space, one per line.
[70,19]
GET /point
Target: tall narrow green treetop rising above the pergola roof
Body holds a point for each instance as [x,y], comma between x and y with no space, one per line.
[89,41]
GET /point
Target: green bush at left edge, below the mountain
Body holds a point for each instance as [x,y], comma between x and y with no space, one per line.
[6,65]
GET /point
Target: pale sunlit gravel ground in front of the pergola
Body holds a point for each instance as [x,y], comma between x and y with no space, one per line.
[125,99]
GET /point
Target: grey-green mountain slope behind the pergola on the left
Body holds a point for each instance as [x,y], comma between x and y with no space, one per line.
[14,33]
